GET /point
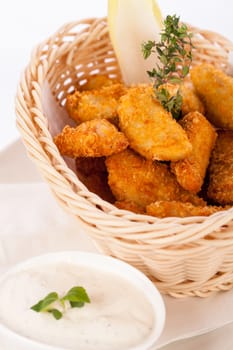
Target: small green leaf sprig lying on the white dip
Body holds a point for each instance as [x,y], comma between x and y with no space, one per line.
[76,296]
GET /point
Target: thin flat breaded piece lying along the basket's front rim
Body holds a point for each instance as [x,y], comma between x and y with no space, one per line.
[163,209]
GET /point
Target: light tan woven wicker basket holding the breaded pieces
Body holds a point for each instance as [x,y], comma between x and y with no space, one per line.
[183,256]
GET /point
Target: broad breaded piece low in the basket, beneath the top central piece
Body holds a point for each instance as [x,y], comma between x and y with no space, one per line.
[133,178]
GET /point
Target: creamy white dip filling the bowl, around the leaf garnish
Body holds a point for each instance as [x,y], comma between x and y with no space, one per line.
[118,317]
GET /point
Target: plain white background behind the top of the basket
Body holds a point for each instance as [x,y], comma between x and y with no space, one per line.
[25,23]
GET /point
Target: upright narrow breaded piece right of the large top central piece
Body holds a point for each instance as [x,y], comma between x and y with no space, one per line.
[190,172]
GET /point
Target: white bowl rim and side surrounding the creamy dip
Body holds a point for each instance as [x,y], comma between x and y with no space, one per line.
[10,340]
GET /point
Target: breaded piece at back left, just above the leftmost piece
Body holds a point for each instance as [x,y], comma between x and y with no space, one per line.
[101,103]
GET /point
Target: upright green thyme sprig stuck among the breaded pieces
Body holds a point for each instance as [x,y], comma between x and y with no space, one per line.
[174,52]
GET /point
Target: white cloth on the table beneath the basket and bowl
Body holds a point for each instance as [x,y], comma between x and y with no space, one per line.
[32,223]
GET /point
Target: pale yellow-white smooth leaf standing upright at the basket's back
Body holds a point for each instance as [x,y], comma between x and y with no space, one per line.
[132,22]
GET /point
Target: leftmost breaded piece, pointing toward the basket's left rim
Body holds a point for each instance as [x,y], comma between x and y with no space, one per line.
[95,138]
